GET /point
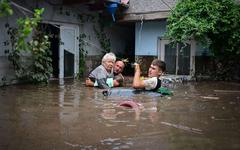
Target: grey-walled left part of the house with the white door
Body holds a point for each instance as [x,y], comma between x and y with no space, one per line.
[75,26]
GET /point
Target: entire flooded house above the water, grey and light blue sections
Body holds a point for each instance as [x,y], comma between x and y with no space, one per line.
[132,29]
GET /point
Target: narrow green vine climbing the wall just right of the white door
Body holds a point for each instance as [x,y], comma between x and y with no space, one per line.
[82,55]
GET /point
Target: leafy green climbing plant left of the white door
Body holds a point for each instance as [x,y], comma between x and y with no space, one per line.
[38,67]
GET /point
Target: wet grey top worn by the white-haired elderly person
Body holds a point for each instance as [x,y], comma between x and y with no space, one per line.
[101,77]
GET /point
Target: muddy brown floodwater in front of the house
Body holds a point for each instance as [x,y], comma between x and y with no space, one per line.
[63,116]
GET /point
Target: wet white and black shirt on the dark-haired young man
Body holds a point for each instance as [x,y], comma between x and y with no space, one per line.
[152,83]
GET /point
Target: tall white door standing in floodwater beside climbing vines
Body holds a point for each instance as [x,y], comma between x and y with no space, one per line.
[64,48]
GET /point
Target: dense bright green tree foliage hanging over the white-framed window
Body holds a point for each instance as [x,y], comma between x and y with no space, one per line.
[215,23]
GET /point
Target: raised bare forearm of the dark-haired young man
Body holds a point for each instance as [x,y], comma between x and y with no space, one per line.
[137,82]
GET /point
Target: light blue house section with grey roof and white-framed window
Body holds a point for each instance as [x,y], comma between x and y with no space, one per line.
[150,19]
